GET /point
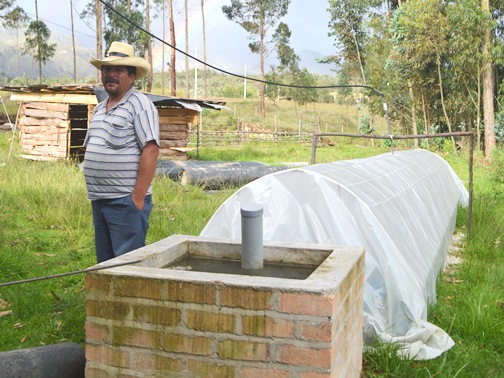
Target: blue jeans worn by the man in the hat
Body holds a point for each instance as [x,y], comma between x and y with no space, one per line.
[119,226]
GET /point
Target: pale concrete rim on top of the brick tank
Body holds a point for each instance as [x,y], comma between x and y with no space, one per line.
[332,263]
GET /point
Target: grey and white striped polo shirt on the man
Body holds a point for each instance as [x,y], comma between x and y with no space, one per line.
[114,144]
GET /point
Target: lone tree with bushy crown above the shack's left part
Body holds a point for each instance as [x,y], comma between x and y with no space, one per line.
[36,42]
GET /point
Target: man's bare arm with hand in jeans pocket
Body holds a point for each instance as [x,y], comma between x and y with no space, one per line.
[146,172]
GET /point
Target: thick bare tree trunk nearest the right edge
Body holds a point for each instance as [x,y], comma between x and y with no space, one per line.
[488,88]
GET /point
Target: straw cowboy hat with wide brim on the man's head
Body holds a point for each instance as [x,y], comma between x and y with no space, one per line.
[122,54]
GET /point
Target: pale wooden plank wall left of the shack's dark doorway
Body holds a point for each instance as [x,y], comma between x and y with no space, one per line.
[44,129]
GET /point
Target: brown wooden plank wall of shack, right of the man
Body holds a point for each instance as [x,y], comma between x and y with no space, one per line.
[174,131]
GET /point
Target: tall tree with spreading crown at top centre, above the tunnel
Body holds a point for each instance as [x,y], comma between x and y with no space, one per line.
[256,17]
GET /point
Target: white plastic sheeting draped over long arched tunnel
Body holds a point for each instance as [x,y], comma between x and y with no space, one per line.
[400,206]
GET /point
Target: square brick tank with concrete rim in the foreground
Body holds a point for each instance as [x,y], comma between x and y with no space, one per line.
[146,321]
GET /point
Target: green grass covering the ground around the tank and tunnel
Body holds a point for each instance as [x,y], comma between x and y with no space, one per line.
[46,226]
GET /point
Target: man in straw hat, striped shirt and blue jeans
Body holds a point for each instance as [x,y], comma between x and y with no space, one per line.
[122,146]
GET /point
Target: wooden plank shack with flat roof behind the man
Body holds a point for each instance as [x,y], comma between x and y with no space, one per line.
[53,120]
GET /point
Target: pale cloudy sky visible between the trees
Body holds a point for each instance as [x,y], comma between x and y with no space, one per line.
[227,42]
